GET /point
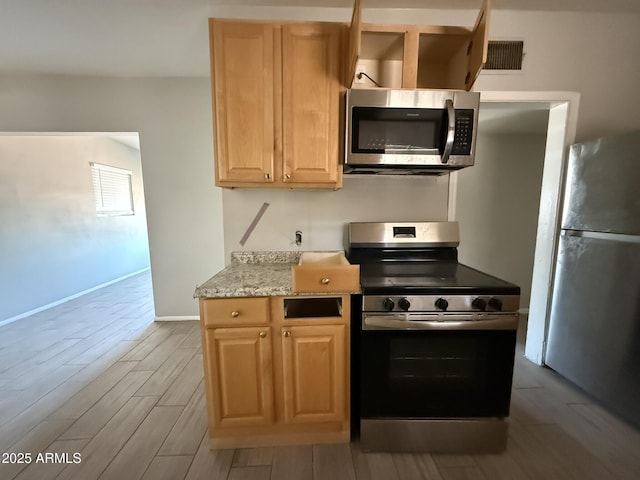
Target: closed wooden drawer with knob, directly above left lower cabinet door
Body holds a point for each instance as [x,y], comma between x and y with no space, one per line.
[235,311]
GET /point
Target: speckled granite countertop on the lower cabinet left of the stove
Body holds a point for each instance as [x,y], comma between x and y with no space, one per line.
[252,274]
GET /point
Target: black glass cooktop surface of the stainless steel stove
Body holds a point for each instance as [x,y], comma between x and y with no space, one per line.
[429,278]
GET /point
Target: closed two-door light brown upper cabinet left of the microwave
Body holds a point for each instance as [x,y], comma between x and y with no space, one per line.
[276,91]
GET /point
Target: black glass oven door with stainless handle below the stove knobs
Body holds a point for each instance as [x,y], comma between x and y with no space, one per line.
[436,366]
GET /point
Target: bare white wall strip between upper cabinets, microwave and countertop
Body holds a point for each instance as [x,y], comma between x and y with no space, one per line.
[323,215]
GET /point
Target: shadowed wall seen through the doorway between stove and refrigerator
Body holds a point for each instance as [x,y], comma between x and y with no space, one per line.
[497,207]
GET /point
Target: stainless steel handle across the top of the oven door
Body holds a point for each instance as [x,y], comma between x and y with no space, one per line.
[435,322]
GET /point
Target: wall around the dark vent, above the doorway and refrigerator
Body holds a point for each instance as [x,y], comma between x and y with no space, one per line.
[593,54]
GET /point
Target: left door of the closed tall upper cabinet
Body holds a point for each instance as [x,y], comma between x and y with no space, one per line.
[242,59]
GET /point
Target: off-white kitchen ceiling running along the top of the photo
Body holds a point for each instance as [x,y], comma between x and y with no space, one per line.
[169,37]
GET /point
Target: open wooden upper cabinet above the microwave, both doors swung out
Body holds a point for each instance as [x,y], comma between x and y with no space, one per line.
[417,56]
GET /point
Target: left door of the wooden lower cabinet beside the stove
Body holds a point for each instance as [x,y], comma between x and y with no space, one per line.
[242,381]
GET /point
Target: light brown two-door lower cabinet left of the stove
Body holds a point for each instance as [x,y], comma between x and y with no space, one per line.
[284,380]
